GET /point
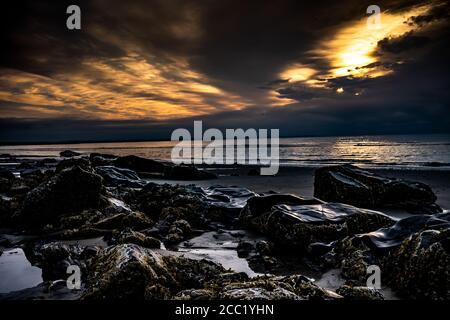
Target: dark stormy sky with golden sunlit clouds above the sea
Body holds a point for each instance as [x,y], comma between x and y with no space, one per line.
[139,69]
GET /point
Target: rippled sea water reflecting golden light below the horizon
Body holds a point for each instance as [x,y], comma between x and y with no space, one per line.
[398,151]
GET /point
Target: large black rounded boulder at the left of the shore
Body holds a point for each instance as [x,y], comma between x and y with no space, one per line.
[70,191]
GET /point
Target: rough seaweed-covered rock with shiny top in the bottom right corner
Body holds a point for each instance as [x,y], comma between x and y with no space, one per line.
[413,256]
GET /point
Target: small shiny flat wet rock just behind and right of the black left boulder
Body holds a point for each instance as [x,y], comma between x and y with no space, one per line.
[119,177]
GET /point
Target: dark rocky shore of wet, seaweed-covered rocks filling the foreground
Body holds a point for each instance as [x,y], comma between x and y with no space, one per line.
[136,239]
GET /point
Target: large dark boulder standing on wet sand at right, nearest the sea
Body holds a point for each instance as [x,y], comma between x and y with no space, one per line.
[351,185]
